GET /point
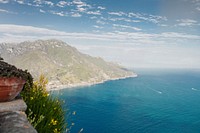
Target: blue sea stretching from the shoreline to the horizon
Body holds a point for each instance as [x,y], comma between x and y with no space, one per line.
[157,101]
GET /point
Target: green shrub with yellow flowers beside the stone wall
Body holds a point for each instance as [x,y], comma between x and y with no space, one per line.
[44,112]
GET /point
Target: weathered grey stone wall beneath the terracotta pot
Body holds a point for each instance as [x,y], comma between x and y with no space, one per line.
[13,118]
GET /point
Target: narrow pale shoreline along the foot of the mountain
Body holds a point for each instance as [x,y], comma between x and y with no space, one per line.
[56,87]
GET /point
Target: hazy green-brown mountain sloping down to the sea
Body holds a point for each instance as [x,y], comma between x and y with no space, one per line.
[62,64]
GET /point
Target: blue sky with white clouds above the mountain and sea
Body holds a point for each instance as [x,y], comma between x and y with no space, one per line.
[132,33]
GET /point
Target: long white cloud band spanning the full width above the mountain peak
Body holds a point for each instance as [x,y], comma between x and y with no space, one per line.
[127,37]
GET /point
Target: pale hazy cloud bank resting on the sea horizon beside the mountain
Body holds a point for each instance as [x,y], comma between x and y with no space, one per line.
[146,56]
